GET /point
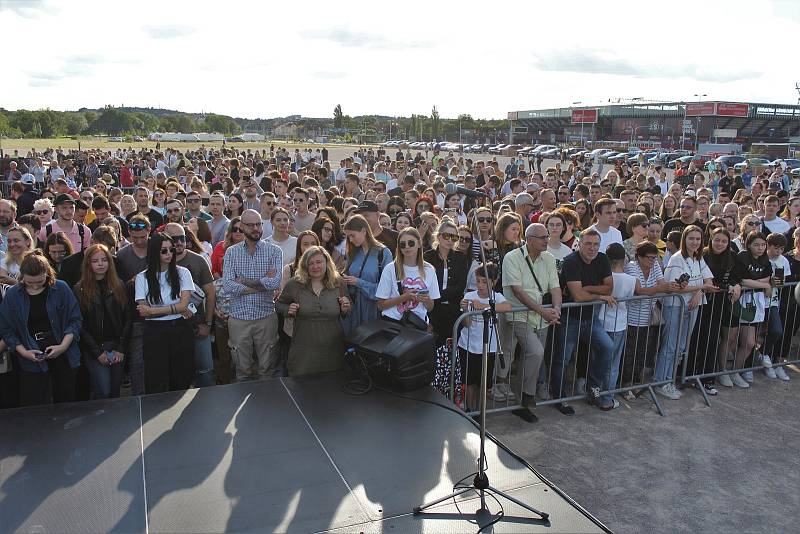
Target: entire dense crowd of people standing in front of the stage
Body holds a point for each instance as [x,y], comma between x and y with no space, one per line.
[169,268]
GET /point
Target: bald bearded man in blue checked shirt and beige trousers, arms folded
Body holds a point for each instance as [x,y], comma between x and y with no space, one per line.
[251,273]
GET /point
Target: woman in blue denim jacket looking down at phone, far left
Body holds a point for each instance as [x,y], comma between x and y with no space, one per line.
[41,321]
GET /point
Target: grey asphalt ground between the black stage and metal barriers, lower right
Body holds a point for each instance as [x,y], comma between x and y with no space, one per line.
[733,467]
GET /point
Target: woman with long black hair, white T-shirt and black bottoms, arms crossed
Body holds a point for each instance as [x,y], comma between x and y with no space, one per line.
[162,294]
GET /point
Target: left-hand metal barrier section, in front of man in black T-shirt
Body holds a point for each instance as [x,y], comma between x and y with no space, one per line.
[566,360]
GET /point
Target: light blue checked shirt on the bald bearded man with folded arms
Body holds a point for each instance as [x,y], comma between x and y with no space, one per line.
[239,263]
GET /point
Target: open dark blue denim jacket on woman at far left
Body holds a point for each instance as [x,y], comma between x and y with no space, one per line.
[65,318]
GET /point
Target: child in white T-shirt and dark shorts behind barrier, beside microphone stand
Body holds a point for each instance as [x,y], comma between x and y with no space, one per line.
[470,341]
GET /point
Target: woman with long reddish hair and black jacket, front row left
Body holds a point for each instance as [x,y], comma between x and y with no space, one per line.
[106,321]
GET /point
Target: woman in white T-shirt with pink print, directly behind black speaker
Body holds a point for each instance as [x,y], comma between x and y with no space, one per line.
[411,274]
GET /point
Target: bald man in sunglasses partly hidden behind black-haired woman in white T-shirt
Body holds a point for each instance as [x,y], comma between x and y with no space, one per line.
[203,319]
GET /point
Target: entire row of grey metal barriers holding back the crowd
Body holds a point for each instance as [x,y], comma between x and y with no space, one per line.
[704,357]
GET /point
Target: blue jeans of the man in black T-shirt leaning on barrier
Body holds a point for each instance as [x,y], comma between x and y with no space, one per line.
[590,330]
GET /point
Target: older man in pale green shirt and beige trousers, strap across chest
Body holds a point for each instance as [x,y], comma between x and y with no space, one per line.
[530,279]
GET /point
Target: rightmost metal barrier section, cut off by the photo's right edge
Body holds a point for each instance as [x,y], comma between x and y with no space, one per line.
[728,347]
